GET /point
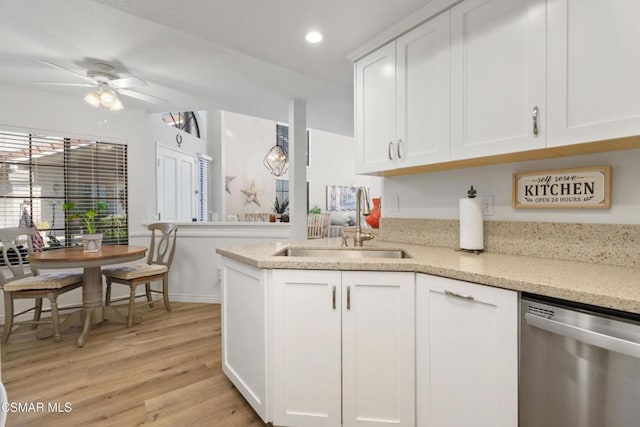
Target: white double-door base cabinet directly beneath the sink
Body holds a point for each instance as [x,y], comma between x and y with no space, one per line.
[343,348]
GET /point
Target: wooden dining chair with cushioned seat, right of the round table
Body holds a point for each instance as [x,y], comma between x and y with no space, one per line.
[159,260]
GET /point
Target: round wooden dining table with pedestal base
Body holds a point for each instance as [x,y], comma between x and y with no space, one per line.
[93,309]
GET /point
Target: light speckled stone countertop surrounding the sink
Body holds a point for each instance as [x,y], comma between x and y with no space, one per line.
[596,284]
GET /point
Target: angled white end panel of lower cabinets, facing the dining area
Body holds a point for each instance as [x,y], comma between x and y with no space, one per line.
[244,332]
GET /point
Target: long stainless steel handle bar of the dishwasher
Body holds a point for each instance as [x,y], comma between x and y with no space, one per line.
[618,345]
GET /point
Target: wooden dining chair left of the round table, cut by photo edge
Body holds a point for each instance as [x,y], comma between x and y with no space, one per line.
[17,283]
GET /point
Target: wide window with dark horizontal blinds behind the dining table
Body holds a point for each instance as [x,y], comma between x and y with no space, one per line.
[38,174]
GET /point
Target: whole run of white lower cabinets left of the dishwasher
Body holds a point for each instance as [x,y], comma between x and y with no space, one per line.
[317,348]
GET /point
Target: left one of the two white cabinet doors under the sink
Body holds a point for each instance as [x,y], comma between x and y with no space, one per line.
[306,348]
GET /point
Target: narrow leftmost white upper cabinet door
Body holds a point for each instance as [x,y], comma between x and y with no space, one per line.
[375,120]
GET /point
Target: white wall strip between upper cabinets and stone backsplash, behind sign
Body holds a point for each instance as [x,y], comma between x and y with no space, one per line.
[435,195]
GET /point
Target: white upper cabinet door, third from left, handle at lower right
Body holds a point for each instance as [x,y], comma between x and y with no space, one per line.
[498,76]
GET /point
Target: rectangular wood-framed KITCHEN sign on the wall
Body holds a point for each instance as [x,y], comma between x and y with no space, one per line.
[563,188]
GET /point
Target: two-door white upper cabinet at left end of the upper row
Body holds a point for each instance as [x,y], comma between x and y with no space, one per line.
[403,100]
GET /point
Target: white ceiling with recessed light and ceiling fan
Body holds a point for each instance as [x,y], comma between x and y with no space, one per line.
[247,56]
